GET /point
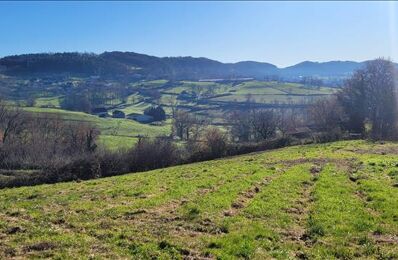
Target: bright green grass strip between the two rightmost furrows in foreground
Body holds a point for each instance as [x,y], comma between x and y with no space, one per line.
[338,222]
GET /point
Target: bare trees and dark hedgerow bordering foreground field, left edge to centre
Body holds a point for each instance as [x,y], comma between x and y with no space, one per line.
[48,149]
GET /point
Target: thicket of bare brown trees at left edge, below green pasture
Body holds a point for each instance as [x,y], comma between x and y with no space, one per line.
[28,141]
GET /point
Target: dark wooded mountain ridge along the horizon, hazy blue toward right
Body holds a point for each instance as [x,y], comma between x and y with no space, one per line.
[142,66]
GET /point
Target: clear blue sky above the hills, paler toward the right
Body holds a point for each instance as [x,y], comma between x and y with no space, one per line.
[282,33]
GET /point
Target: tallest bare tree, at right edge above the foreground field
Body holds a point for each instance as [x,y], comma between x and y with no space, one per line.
[371,94]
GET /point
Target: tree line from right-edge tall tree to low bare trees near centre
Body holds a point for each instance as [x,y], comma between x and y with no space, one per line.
[367,105]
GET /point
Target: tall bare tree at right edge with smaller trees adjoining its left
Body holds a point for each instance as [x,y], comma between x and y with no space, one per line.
[366,105]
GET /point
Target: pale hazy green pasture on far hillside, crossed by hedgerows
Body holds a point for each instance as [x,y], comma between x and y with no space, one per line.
[262,92]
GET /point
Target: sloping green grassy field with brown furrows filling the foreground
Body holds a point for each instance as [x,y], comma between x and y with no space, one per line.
[336,200]
